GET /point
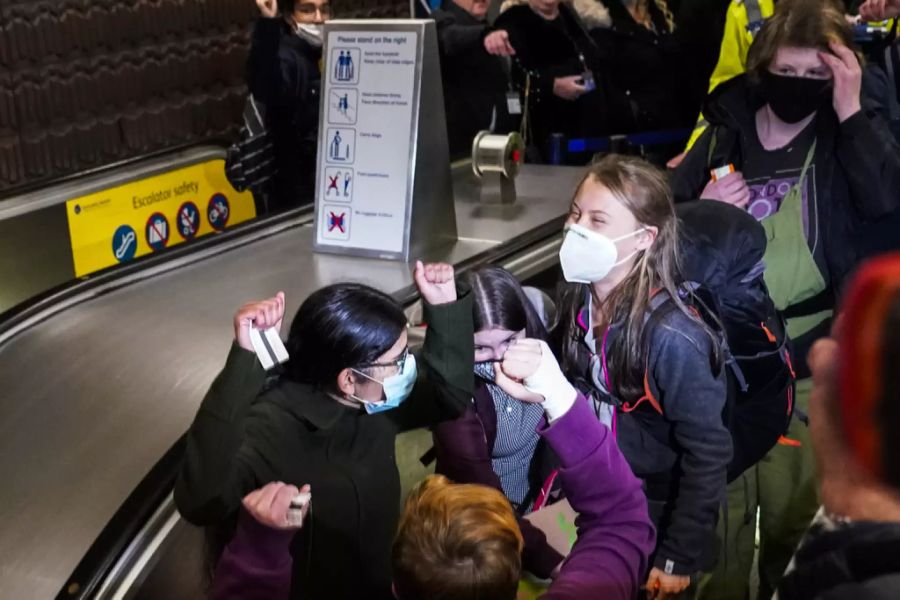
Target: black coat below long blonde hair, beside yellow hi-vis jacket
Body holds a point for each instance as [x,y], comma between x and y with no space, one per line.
[643,68]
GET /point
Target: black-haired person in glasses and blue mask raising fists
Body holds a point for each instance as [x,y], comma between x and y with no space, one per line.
[329,421]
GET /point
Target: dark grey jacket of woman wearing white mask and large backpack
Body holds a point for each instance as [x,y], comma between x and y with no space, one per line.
[682,454]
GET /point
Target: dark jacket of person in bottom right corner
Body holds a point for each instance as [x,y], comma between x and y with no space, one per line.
[851,561]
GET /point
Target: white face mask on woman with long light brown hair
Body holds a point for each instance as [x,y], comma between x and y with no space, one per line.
[587,256]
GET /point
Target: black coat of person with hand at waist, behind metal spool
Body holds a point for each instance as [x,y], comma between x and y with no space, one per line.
[547,52]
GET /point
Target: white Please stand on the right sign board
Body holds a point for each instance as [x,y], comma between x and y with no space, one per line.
[368,130]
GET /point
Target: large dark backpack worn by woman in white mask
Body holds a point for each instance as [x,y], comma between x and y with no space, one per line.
[721,255]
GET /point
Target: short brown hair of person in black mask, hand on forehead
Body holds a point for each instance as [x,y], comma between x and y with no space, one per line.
[801,24]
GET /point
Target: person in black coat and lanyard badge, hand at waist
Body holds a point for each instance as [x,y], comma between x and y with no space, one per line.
[558,68]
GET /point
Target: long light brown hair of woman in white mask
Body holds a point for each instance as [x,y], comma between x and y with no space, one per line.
[644,190]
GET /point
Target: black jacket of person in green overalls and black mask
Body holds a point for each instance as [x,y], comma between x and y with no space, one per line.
[857,178]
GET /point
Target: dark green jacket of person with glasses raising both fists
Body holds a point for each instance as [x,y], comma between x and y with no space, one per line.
[244,437]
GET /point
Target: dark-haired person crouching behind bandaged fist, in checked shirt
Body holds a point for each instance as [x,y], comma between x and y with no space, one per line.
[495,442]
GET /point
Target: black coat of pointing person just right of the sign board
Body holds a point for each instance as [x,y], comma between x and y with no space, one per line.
[475,83]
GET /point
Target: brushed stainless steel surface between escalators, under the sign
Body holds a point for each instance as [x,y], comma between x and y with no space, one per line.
[93,395]
